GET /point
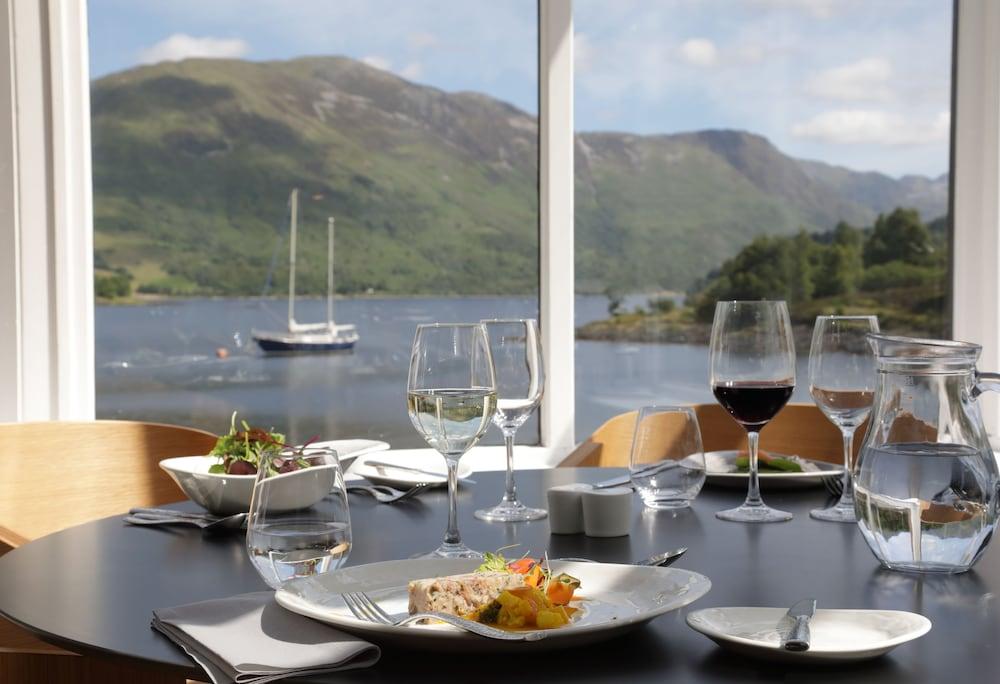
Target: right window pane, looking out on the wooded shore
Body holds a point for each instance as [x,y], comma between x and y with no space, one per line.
[747,150]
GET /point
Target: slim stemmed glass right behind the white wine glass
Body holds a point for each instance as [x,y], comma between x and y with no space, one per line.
[517,357]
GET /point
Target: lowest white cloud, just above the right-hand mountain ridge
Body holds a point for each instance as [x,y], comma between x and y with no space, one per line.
[866,126]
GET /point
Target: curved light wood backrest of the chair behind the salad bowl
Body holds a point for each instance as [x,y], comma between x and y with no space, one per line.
[60,474]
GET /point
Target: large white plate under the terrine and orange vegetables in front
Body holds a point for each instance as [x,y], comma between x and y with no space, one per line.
[613,599]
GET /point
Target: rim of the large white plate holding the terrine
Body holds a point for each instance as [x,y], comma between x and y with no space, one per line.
[290,601]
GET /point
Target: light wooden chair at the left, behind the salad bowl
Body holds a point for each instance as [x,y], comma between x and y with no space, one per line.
[60,474]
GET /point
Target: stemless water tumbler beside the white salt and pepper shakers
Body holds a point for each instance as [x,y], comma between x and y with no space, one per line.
[667,461]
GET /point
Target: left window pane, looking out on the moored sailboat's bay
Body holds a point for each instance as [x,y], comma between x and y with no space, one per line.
[413,124]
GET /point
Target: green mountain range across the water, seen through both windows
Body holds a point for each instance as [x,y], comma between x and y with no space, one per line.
[433,192]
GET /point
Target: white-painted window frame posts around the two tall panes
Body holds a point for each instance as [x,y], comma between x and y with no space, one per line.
[46,245]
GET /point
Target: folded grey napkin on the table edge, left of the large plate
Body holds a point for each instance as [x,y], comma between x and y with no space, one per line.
[250,638]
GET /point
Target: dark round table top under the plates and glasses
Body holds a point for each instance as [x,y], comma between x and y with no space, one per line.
[92,588]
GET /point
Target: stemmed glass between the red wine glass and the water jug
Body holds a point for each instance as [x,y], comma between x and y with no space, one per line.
[842,383]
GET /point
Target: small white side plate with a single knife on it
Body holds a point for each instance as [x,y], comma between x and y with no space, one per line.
[835,635]
